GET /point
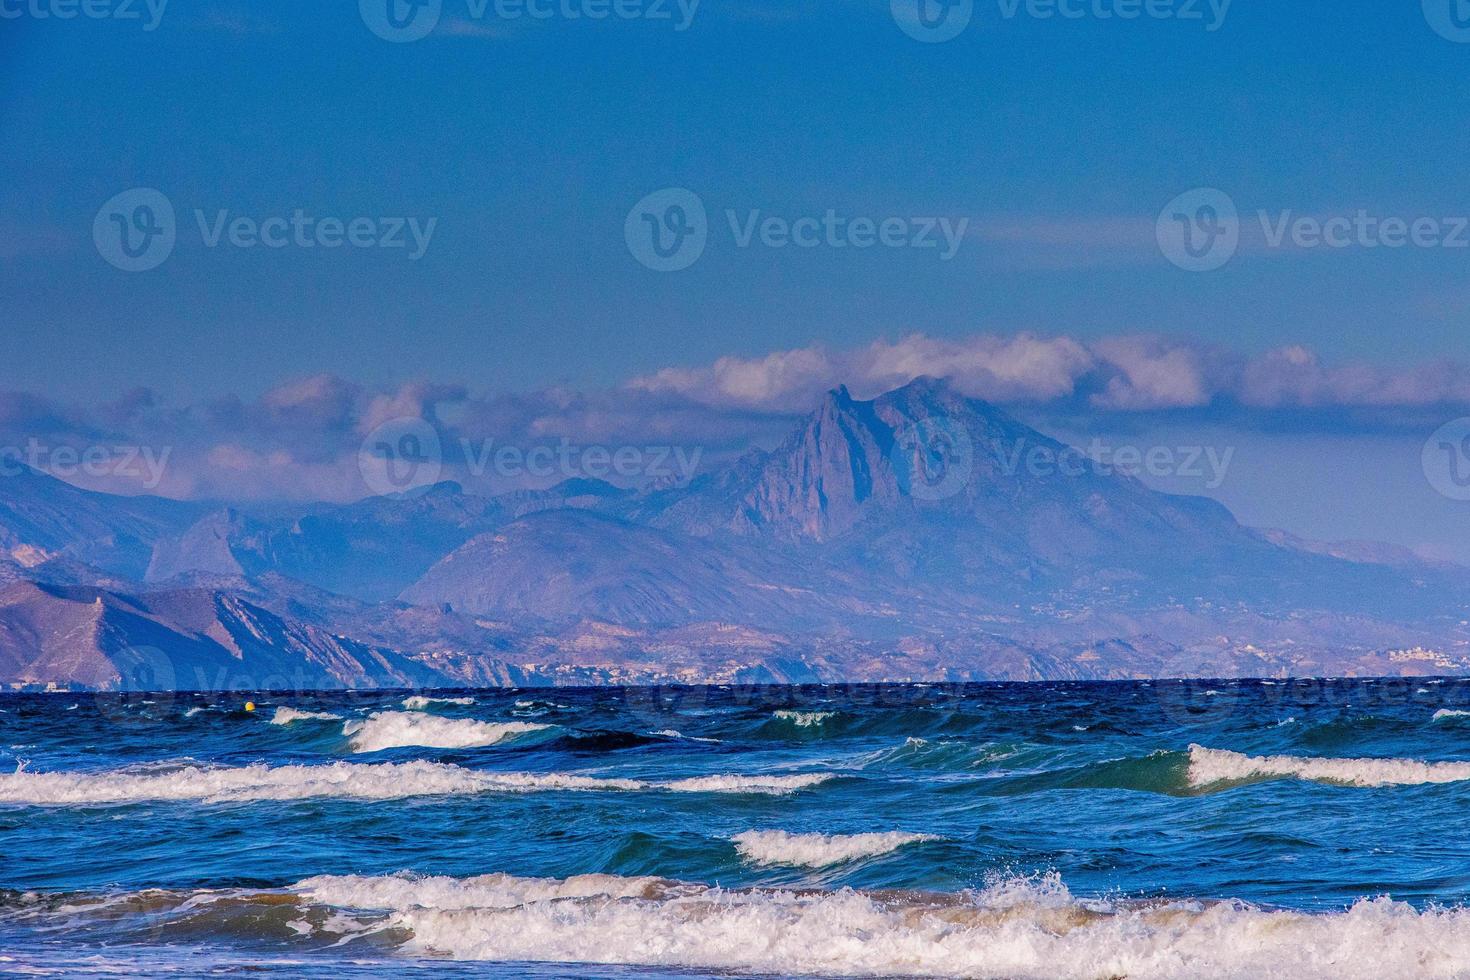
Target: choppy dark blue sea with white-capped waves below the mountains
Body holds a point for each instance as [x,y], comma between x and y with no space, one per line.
[1168,829]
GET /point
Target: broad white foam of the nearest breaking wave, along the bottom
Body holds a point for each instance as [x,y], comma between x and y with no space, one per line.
[1018,929]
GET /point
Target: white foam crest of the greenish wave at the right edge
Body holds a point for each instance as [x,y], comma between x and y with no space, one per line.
[1216,766]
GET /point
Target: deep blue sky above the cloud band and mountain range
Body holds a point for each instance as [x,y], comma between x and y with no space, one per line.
[527,143]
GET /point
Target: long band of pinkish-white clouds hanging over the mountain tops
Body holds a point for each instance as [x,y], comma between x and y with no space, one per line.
[302,440]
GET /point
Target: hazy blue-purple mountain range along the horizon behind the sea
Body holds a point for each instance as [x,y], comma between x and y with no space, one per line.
[921,536]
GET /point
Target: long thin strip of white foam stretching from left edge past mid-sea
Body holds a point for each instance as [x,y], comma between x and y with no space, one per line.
[348,781]
